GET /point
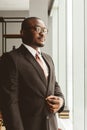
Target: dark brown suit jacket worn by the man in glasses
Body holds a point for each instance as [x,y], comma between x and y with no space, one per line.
[23,89]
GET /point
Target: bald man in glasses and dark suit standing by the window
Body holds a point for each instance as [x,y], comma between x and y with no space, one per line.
[30,94]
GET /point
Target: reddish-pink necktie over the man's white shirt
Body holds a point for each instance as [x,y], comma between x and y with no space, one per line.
[39,60]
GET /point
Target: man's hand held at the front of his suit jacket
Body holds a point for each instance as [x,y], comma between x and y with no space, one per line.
[54,103]
